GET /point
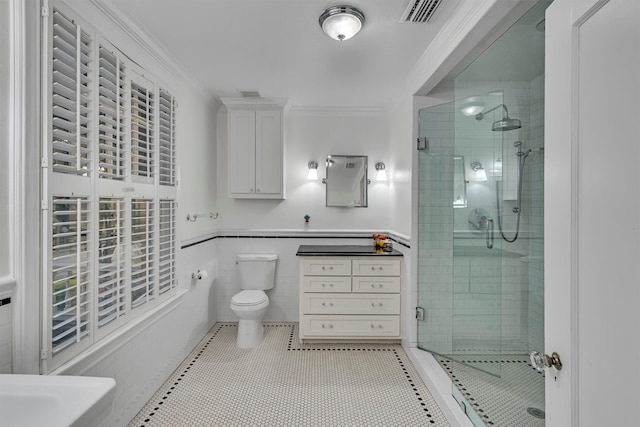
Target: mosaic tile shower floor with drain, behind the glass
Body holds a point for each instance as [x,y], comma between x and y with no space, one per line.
[507,400]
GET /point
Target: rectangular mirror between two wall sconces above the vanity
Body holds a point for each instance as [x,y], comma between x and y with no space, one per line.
[347,181]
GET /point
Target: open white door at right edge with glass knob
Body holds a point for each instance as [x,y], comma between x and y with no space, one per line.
[592,212]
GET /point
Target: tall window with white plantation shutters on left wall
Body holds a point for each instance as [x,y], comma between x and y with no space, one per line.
[109,189]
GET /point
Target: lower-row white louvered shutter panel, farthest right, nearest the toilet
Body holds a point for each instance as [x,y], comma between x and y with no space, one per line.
[166,256]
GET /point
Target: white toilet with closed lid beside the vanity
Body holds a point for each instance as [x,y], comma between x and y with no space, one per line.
[256,273]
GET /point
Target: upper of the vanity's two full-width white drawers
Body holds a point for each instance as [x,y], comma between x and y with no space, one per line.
[351,303]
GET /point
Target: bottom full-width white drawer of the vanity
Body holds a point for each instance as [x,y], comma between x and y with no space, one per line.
[350,326]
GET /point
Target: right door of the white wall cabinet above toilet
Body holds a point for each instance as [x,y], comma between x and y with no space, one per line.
[268,139]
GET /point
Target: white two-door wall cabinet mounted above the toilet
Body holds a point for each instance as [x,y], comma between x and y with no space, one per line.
[255,148]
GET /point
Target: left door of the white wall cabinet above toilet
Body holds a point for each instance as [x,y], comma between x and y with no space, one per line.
[242,152]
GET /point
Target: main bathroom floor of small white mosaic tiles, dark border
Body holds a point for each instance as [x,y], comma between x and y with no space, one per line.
[282,383]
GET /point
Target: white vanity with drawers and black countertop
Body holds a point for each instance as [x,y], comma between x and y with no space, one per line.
[349,293]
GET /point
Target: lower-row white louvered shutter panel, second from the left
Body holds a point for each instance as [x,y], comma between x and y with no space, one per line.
[111,304]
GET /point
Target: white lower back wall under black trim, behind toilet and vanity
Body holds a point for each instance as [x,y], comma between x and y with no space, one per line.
[283,298]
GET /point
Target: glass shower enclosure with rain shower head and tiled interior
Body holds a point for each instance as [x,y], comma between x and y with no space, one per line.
[480,229]
